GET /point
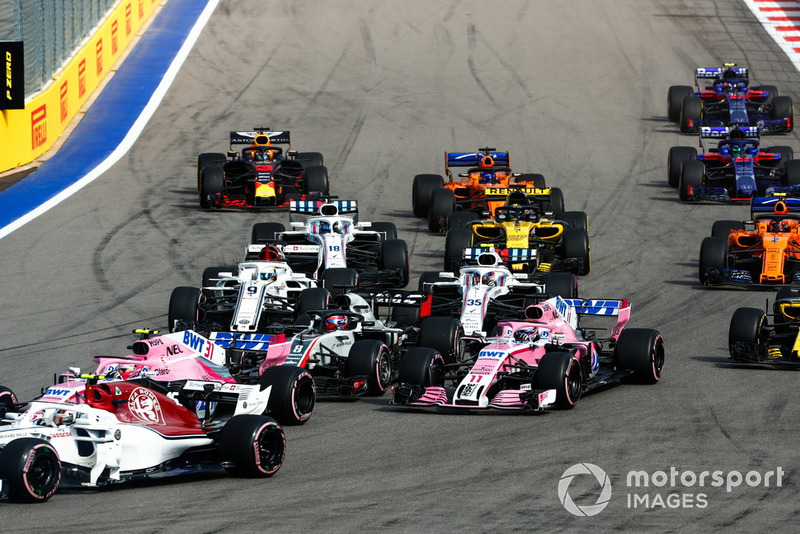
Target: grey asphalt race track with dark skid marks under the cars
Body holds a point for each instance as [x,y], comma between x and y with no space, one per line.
[573,89]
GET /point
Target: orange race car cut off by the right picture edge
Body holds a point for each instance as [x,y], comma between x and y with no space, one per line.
[764,251]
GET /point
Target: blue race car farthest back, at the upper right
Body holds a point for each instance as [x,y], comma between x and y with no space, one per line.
[729,101]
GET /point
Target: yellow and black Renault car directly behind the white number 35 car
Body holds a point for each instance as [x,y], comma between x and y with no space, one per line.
[531,240]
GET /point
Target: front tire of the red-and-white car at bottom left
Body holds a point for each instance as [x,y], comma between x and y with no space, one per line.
[32,468]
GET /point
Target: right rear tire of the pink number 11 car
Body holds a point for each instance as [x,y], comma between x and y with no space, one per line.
[641,350]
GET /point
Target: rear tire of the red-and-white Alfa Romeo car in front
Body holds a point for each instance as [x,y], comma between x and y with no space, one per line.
[252,446]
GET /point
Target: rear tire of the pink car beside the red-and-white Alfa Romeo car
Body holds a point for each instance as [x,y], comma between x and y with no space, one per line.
[293,394]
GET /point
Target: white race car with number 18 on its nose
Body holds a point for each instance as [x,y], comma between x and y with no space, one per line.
[332,238]
